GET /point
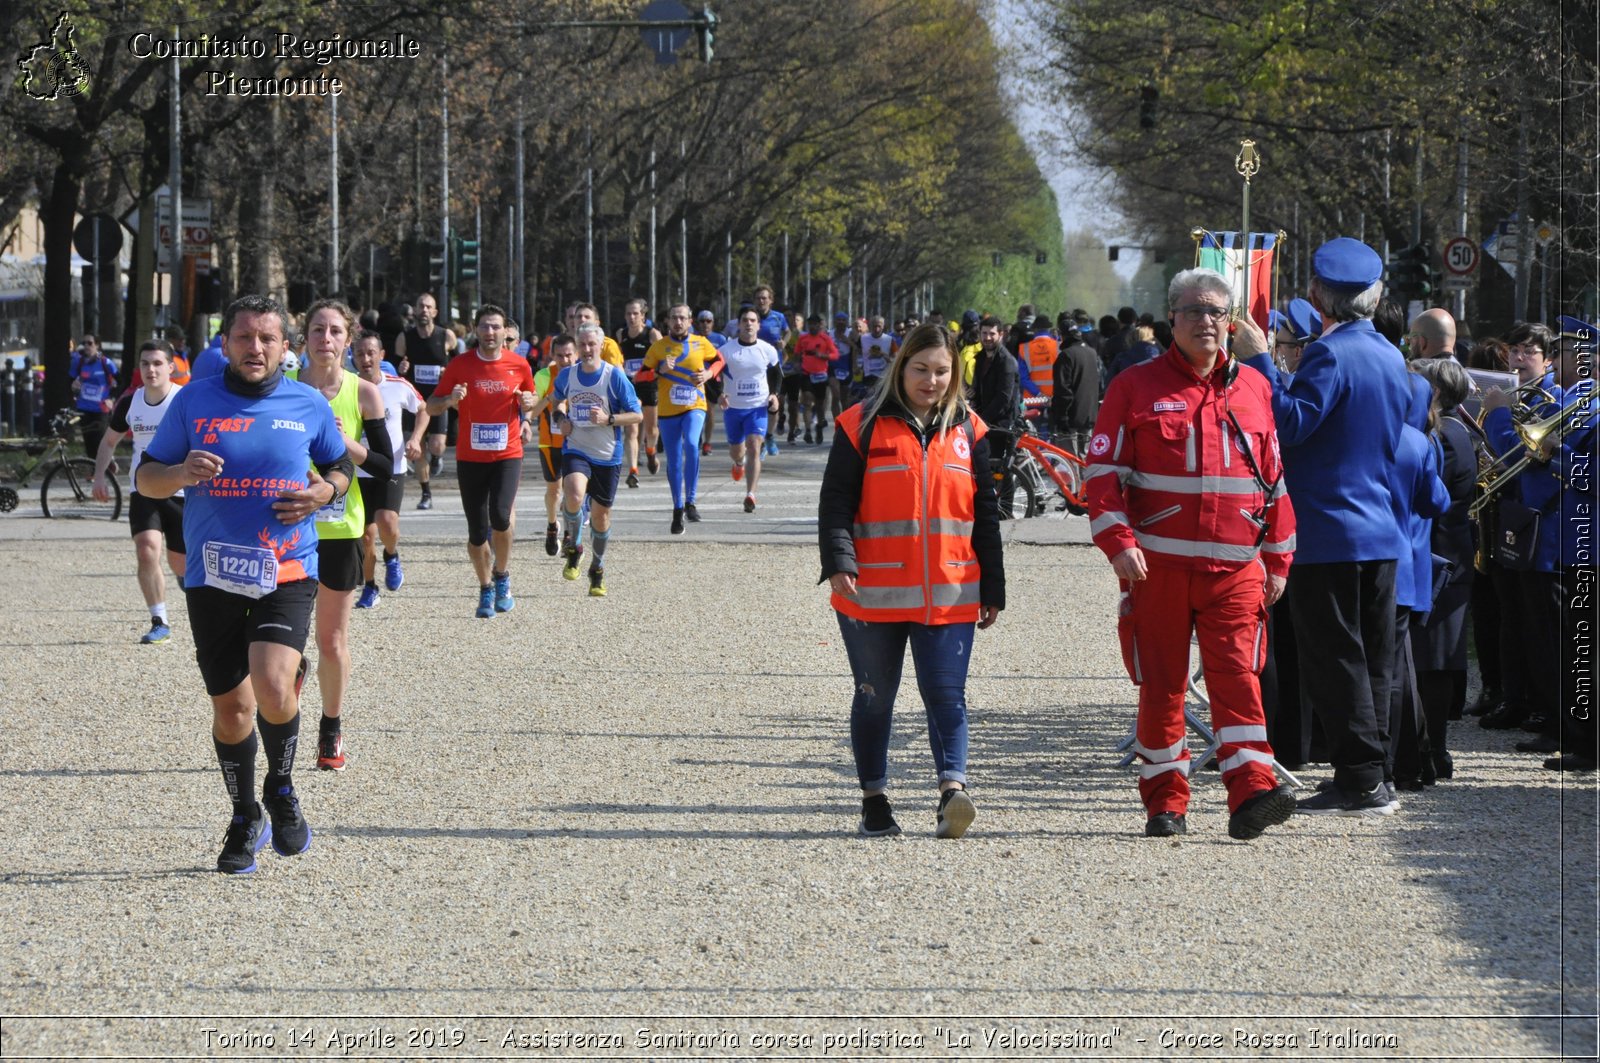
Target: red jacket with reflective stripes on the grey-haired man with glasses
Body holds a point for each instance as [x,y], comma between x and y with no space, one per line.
[1172,475]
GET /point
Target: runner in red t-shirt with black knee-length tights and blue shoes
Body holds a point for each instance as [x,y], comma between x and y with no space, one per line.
[490,391]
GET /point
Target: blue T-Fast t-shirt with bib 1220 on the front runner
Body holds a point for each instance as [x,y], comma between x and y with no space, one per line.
[268,444]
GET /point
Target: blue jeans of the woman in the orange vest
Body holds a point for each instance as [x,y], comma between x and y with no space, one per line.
[878,654]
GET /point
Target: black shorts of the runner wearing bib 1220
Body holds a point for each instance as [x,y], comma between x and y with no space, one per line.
[225,625]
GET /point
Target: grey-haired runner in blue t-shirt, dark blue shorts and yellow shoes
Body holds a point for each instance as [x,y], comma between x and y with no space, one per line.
[594,401]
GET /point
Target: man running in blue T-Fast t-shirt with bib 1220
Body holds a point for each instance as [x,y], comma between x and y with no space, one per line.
[257,457]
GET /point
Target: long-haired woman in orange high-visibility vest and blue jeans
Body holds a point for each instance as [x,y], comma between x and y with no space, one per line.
[911,545]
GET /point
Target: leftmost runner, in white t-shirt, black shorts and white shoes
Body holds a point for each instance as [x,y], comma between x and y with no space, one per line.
[151,519]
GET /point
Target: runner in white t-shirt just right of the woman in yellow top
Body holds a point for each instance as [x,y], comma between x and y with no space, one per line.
[383,499]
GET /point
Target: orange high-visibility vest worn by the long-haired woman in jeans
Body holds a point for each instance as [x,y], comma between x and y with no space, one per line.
[914,526]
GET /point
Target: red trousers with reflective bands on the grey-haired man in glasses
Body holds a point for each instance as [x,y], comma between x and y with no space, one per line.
[1228,612]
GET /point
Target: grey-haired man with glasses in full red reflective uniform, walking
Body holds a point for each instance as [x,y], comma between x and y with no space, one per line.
[1186,499]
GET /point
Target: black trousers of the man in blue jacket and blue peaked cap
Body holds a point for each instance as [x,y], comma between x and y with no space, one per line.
[1345,624]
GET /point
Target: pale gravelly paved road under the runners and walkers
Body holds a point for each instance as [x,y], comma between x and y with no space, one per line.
[598,817]
